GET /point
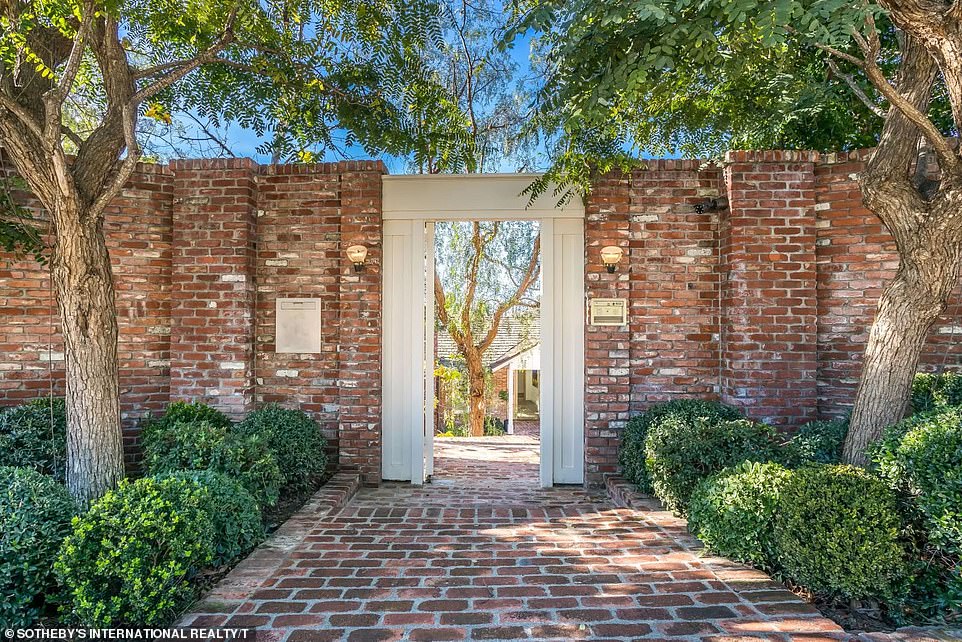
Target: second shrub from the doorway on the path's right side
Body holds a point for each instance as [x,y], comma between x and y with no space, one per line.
[679,453]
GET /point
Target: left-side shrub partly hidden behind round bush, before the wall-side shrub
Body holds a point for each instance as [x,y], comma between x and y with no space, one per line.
[206,446]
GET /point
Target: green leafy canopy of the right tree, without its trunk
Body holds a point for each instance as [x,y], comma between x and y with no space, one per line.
[696,78]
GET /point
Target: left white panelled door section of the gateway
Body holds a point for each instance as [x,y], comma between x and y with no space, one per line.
[403,439]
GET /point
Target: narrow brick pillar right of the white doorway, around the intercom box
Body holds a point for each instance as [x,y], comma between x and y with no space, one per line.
[607,348]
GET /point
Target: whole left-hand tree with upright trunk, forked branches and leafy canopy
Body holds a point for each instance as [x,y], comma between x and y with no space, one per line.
[135,57]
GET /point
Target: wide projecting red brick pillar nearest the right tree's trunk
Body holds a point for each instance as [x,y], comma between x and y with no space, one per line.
[769,309]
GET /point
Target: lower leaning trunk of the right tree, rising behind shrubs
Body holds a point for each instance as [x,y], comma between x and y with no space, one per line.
[907,309]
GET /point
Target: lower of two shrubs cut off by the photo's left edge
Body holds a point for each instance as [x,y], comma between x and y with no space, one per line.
[35,513]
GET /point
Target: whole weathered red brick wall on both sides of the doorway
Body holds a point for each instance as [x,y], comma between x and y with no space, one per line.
[764,303]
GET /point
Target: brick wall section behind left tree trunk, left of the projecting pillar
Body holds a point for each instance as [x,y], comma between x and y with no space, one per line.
[138,230]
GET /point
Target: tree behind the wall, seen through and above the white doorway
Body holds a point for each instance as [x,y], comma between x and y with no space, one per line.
[469,119]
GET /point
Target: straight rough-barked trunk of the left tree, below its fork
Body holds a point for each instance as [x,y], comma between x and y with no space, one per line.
[85,297]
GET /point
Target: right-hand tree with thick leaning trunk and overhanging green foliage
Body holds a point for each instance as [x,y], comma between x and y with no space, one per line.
[701,77]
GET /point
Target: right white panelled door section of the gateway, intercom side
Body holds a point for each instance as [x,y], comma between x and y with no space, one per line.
[562,352]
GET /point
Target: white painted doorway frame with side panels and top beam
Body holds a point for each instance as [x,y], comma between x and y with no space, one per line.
[411,206]
